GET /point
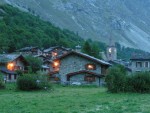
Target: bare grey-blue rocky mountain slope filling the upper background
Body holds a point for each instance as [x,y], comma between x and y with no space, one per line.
[126,21]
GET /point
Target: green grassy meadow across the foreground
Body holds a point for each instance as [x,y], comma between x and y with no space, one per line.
[72,100]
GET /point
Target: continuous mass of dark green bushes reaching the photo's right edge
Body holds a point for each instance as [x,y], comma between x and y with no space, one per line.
[118,81]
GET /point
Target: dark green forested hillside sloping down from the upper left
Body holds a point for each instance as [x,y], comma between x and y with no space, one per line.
[19,29]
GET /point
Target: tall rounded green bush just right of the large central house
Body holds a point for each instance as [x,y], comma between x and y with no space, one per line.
[116,79]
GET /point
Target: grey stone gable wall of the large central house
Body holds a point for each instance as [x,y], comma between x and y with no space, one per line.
[74,63]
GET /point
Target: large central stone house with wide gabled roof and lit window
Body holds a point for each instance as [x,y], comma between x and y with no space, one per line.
[79,67]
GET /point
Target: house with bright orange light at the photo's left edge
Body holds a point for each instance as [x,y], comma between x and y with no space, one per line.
[10,63]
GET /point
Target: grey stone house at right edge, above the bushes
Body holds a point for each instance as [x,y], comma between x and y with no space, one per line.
[140,63]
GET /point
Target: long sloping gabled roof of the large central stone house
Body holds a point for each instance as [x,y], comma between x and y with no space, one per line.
[85,56]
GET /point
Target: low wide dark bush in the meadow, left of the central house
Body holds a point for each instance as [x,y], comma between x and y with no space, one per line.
[32,82]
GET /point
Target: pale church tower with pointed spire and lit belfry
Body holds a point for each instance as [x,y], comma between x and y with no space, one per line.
[111,51]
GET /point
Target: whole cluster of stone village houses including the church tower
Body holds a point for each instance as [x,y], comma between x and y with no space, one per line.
[68,66]
